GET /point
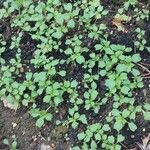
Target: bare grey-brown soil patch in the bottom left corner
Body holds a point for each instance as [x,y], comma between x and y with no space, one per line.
[22,125]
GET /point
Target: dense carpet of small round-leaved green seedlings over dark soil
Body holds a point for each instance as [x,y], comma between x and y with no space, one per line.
[60,54]
